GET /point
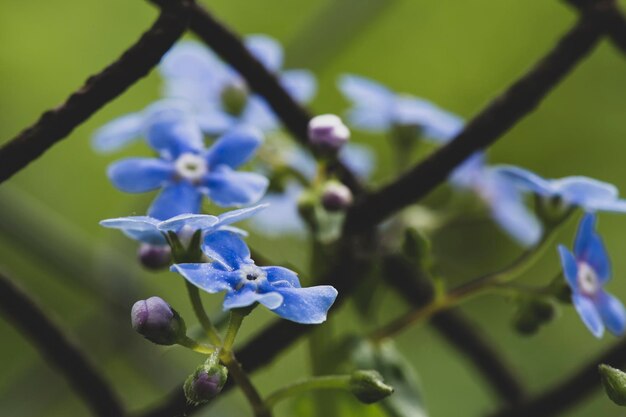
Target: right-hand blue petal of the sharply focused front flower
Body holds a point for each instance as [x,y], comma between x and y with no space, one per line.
[306,305]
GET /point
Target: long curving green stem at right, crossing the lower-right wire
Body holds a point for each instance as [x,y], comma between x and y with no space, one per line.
[471,289]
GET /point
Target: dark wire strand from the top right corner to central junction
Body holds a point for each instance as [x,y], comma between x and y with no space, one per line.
[490,124]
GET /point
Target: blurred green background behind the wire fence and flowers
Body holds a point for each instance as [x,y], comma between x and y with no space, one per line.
[456,53]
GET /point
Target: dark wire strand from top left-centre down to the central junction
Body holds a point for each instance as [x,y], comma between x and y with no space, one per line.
[230,48]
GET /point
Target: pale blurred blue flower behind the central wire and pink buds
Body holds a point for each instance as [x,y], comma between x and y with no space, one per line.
[283,217]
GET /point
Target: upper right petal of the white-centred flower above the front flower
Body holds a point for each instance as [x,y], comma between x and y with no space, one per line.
[235,147]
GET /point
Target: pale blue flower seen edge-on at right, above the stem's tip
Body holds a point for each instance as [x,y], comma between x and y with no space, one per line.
[590,194]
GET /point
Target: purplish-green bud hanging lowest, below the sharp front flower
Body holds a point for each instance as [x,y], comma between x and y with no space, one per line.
[206,382]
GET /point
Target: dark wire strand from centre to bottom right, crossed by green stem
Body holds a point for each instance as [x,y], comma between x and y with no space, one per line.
[457,330]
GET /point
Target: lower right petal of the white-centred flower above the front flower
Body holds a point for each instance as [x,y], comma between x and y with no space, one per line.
[228,188]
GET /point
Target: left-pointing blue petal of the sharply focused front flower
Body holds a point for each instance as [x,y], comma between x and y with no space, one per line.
[210,277]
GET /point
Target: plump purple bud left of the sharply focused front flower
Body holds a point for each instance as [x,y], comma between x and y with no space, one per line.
[155,320]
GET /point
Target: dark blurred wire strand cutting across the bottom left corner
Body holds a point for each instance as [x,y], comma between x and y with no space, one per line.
[88,383]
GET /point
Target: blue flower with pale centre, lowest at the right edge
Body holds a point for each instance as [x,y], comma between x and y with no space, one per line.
[587,270]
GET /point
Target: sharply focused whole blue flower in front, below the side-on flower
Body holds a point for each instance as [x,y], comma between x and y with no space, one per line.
[275,287]
